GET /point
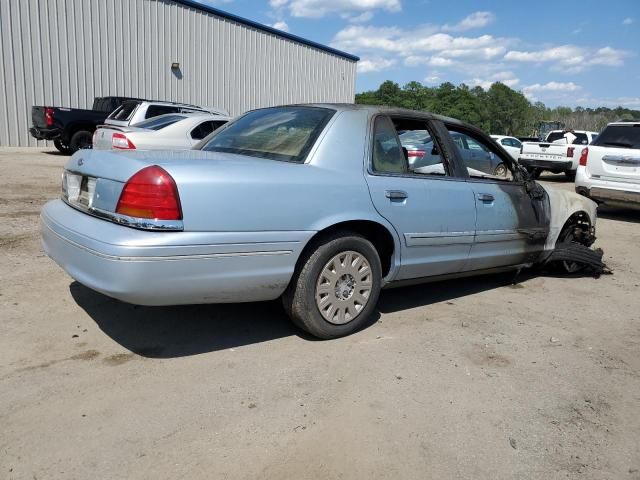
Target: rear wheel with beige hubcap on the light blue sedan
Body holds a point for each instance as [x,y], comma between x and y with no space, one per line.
[327,296]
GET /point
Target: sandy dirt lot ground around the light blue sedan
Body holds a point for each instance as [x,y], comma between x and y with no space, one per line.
[473,379]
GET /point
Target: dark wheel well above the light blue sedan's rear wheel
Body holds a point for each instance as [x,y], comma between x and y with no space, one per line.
[376,233]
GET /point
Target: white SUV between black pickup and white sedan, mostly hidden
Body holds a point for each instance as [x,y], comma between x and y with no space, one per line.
[135,111]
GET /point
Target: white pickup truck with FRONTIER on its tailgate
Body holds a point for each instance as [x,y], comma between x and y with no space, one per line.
[555,154]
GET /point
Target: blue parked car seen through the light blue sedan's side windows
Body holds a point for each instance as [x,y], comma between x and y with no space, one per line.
[421,152]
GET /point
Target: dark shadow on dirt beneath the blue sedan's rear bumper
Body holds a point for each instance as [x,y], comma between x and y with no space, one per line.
[179,331]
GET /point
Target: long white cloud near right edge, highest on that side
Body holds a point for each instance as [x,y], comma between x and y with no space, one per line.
[570,58]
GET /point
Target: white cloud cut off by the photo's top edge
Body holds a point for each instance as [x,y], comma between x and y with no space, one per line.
[320,8]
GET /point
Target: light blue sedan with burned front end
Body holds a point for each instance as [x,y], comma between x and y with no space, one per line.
[316,204]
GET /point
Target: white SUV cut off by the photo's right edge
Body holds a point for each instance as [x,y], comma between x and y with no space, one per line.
[609,168]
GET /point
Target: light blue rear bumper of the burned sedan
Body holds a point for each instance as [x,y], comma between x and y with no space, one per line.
[169,268]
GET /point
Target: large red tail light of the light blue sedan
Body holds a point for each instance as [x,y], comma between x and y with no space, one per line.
[151,193]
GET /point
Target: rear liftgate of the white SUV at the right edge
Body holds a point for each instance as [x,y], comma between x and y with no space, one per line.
[615,153]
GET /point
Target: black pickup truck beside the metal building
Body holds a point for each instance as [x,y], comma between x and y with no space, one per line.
[72,128]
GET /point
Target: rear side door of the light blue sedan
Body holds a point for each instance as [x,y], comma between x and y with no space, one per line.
[432,211]
